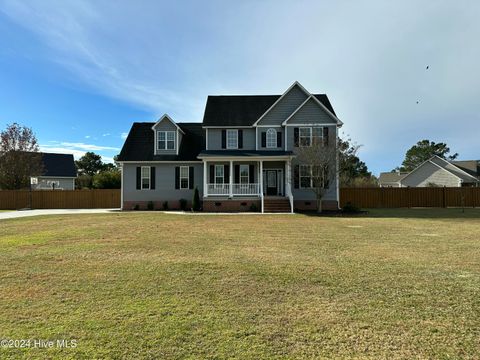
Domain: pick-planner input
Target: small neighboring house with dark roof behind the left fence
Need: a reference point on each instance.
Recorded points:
(59, 172)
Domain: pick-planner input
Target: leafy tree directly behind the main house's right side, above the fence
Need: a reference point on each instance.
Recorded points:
(352, 170)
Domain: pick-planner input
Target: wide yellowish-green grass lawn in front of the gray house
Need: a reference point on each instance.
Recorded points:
(395, 284)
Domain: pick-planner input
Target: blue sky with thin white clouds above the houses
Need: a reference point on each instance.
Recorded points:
(80, 72)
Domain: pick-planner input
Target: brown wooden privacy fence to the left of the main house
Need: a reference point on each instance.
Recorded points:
(59, 199)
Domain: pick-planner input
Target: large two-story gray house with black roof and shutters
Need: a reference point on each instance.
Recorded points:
(240, 157)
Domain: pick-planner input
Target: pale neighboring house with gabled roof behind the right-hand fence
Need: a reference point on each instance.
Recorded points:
(436, 172)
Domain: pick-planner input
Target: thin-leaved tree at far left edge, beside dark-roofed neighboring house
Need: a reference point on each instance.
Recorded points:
(19, 157)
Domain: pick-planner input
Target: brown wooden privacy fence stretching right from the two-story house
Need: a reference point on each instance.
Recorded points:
(410, 197)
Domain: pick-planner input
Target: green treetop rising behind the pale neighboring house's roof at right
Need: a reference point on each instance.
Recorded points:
(422, 151)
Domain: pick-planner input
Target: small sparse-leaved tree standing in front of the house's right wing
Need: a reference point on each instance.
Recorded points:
(317, 169)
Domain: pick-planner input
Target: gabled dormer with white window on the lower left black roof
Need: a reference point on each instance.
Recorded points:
(167, 135)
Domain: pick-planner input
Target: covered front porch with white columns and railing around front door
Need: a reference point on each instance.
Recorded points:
(247, 178)
